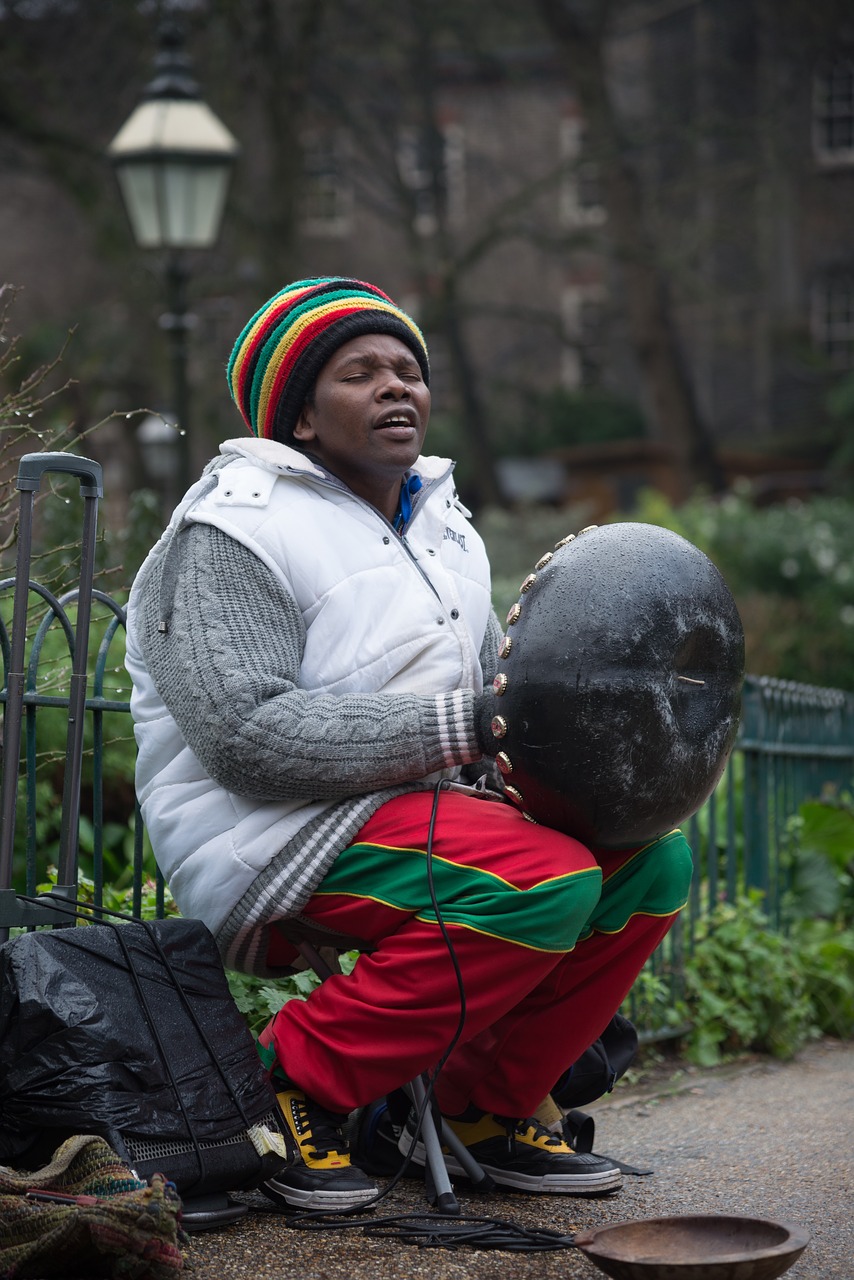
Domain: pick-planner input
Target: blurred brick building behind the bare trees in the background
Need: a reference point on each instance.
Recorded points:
(741, 126)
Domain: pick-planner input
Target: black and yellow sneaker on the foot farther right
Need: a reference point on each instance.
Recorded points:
(524, 1155)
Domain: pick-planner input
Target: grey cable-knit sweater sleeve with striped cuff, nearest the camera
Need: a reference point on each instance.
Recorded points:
(229, 668)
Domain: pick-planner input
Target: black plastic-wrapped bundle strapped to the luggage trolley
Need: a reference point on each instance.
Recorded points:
(131, 1032)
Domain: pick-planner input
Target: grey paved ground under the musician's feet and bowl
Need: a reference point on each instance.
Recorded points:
(761, 1139)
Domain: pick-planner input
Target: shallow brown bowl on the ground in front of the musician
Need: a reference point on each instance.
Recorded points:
(695, 1247)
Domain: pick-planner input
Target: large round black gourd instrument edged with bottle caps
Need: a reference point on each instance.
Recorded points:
(619, 687)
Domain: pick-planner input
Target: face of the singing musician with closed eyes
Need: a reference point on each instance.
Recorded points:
(368, 418)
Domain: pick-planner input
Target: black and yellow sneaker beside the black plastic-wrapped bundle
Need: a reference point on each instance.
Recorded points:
(323, 1178)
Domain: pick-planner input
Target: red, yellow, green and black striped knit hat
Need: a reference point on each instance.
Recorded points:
(280, 354)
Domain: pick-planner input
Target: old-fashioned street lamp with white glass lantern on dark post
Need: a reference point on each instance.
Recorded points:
(173, 161)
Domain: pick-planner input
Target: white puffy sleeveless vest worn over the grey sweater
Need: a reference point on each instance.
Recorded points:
(382, 614)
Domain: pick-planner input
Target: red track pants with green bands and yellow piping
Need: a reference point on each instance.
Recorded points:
(549, 935)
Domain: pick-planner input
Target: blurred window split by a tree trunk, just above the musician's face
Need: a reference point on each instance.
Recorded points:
(417, 175)
